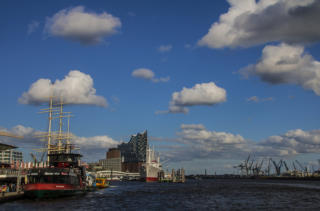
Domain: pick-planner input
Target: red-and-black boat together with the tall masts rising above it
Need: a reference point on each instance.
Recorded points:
(63, 174)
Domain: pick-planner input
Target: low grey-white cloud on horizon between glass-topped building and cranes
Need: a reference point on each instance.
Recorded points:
(199, 143)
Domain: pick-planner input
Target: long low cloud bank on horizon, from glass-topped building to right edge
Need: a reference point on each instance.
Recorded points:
(196, 142)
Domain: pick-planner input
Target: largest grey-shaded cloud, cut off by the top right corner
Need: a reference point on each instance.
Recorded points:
(251, 22)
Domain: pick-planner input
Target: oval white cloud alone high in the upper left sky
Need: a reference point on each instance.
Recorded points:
(85, 27)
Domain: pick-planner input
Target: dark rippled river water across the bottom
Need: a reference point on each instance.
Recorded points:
(223, 194)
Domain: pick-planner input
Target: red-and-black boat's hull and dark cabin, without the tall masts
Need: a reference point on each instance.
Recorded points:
(62, 178)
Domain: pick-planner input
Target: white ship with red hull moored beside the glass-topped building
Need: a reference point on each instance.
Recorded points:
(152, 167)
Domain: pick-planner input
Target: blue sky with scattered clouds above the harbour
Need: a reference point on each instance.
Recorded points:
(211, 81)
